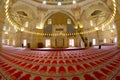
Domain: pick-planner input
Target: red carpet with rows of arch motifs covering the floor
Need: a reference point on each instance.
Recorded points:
(89, 64)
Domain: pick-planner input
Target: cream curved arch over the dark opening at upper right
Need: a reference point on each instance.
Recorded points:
(95, 6)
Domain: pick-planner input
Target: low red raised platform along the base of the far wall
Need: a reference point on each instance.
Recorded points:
(57, 49)
